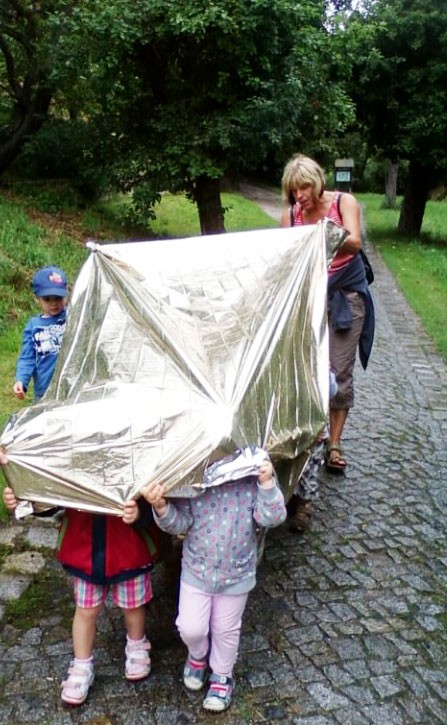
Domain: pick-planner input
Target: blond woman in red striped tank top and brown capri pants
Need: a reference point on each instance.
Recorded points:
(350, 308)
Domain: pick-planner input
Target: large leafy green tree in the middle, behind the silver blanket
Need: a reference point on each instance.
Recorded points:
(188, 93)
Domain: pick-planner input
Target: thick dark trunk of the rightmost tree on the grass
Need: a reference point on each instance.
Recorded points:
(415, 198)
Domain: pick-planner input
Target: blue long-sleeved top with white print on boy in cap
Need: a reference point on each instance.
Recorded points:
(41, 343)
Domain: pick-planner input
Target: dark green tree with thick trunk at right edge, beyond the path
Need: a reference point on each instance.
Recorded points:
(399, 84)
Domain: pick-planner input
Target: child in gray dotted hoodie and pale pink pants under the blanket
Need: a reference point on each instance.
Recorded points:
(218, 566)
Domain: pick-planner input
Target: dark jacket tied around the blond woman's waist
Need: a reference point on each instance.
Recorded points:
(351, 279)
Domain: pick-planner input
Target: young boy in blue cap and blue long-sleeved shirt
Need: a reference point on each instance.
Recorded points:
(43, 333)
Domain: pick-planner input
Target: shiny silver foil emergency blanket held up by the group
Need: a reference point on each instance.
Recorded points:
(177, 354)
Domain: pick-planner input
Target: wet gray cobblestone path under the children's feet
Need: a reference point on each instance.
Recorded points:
(347, 625)
